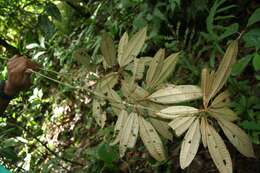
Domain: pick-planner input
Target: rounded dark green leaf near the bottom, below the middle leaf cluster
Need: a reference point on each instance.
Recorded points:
(107, 153)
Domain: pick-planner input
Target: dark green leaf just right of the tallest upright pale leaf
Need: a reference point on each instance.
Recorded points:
(240, 65)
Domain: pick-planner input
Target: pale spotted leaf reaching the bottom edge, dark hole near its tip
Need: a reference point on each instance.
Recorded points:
(218, 151)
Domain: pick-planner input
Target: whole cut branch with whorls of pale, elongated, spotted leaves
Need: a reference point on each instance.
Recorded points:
(137, 92)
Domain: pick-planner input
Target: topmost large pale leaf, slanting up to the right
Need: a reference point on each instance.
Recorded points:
(133, 47)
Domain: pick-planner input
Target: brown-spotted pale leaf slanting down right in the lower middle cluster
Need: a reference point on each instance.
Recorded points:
(151, 140)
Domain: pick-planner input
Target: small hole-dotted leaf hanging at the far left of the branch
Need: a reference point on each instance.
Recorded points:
(98, 114)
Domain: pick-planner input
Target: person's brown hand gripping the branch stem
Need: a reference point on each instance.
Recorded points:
(18, 74)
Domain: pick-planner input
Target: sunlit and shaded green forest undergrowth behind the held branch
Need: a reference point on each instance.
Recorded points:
(51, 129)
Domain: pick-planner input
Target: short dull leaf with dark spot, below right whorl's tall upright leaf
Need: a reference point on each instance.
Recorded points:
(222, 100)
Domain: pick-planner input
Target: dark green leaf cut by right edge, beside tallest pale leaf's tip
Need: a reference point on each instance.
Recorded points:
(252, 38)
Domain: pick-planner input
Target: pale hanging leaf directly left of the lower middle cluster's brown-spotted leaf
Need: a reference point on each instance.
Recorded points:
(129, 133)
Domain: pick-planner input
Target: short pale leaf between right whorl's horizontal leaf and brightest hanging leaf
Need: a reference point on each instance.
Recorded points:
(181, 124)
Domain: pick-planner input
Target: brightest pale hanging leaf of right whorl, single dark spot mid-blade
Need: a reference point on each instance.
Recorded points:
(190, 144)
